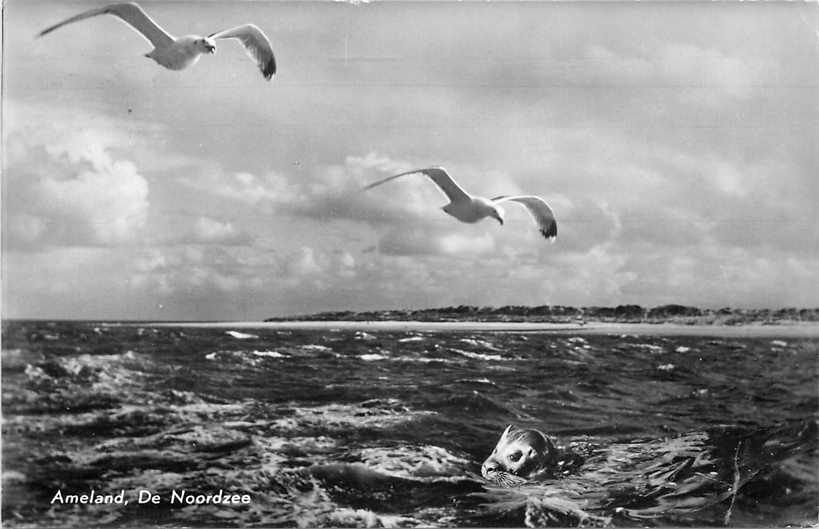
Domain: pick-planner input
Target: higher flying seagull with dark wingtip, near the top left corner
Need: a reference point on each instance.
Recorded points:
(177, 53)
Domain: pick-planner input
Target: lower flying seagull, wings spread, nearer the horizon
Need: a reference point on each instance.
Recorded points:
(467, 208)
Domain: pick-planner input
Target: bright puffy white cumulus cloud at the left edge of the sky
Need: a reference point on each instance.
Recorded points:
(66, 187)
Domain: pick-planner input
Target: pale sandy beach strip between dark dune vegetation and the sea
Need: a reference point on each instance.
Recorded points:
(786, 330)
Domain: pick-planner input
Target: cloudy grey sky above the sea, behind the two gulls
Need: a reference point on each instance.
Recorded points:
(675, 142)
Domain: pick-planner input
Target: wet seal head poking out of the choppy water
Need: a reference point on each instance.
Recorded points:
(521, 454)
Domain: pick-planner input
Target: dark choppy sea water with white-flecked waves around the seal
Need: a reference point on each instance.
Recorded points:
(325, 428)
